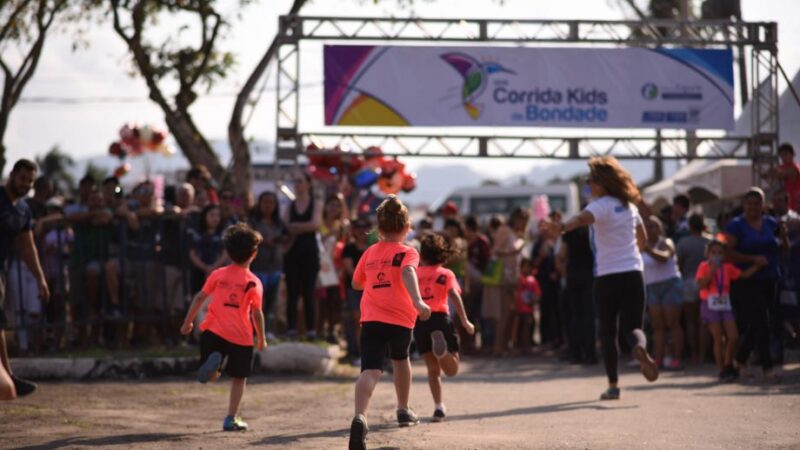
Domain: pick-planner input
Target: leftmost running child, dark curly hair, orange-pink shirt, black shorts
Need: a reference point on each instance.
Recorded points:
(235, 294)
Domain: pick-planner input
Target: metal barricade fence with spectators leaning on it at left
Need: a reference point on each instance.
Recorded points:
(152, 268)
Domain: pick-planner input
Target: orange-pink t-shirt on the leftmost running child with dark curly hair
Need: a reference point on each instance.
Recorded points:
(234, 292)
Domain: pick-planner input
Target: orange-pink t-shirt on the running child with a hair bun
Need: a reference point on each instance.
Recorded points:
(380, 272)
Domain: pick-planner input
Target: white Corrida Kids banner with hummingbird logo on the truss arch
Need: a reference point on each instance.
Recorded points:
(528, 87)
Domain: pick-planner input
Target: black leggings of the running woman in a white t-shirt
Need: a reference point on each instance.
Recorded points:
(620, 301)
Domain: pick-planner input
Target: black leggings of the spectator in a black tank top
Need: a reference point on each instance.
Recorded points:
(301, 279)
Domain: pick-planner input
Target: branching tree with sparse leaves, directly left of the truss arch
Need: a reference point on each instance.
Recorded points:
(171, 61)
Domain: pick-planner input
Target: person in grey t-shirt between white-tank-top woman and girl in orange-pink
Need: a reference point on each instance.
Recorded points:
(691, 251)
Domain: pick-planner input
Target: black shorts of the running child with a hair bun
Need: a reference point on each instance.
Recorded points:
(378, 339)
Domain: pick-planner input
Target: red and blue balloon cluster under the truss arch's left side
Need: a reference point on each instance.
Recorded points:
(364, 171)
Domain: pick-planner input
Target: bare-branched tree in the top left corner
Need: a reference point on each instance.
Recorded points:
(26, 27)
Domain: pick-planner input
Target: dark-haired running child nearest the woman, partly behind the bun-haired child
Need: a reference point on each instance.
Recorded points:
(436, 338)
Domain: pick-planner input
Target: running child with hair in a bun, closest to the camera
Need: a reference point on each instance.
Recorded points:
(391, 301)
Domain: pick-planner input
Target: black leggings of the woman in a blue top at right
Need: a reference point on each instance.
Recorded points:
(750, 300)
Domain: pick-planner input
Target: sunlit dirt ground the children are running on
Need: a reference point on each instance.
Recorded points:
(509, 403)
